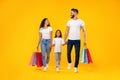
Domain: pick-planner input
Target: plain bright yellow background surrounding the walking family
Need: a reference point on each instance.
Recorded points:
(19, 24)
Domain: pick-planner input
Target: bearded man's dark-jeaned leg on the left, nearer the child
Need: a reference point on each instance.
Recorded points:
(69, 49)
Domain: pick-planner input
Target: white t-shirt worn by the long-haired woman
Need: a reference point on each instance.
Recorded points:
(45, 32)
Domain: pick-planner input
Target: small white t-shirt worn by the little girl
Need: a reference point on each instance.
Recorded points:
(58, 44)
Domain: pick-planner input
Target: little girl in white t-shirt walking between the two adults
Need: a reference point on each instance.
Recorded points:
(58, 42)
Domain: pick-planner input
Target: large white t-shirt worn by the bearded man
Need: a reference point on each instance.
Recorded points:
(75, 25)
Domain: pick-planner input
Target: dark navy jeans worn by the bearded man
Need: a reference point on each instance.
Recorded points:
(70, 44)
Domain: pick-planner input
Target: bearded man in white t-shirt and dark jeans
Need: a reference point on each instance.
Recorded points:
(73, 33)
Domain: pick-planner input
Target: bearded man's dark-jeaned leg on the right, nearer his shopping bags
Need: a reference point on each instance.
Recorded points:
(77, 52)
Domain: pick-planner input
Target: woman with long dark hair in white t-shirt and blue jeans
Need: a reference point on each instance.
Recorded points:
(45, 38)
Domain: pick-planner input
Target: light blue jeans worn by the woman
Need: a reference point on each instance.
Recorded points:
(45, 48)
